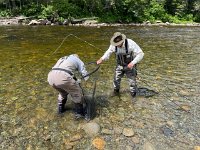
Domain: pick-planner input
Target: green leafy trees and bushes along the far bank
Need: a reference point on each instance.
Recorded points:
(122, 11)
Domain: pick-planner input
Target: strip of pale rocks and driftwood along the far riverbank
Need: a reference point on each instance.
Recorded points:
(78, 22)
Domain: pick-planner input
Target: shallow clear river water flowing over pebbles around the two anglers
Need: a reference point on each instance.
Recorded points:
(168, 120)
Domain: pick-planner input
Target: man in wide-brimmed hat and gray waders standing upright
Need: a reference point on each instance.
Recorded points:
(128, 54)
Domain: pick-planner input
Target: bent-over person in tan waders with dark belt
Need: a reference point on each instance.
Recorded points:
(62, 78)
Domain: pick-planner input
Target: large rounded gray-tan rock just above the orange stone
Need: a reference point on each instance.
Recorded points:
(91, 128)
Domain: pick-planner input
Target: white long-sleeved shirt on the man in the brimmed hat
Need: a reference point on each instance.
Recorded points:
(132, 47)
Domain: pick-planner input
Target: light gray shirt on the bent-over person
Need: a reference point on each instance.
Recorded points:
(71, 63)
